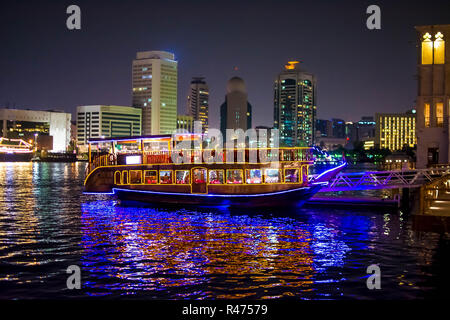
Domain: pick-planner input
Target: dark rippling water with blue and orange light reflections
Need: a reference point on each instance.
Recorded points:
(46, 224)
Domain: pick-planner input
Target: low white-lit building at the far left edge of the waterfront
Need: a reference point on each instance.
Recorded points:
(32, 125)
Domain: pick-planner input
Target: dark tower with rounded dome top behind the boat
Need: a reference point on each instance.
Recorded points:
(236, 111)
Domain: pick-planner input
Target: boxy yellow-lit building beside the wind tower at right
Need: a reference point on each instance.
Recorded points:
(394, 131)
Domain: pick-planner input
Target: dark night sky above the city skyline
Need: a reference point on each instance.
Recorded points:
(43, 65)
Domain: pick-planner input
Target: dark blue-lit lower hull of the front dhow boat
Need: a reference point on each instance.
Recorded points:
(292, 197)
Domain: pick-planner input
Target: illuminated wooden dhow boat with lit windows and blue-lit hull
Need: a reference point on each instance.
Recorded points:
(147, 169)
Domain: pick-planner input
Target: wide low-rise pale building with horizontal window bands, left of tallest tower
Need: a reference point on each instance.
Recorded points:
(99, 121)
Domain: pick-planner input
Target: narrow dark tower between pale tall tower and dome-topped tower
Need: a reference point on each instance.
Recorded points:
(198, 101)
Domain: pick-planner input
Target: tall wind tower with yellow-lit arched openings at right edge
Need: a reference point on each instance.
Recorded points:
(433, 96)
